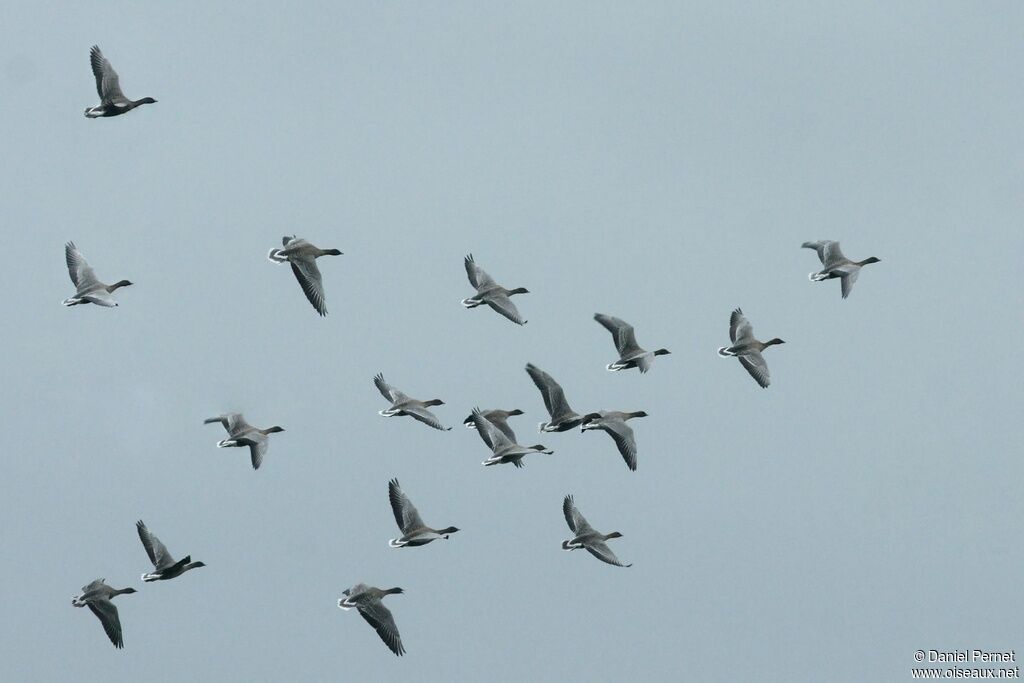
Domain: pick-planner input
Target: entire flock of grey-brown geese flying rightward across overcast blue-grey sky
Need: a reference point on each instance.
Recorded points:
(492, 425)
